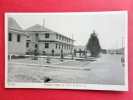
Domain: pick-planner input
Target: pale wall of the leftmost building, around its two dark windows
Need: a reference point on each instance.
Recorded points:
(15, 47)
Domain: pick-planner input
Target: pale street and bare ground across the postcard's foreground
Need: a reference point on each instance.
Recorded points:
(107, 69)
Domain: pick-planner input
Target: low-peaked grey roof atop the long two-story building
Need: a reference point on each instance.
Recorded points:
(38, 28)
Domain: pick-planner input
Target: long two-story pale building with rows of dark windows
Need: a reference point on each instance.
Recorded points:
(46, 40)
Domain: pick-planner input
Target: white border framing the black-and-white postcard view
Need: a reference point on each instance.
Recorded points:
(68, 85)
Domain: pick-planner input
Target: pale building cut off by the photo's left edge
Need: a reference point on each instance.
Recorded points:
(16, 38)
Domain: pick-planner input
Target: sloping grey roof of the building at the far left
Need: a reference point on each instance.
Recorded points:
(12, 24)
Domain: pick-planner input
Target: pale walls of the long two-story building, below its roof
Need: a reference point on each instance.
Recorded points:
(52, 45)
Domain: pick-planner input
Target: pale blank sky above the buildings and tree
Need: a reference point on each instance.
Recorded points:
(109, 27)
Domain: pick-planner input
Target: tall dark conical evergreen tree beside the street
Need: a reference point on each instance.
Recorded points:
(93, 45)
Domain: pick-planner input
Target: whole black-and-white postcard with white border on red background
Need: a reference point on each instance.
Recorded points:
(86, 50)
